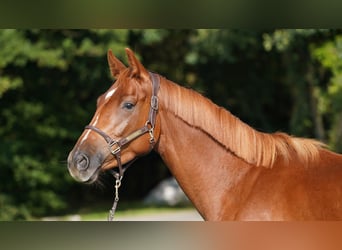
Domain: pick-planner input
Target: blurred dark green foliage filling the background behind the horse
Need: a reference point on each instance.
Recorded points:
(288, 80)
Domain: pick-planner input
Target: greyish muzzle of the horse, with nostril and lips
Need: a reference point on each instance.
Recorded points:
(84, 167)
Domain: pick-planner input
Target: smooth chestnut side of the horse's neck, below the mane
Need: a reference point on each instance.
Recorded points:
(212, 177)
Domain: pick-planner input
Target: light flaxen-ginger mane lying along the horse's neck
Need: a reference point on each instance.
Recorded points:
(254, 147)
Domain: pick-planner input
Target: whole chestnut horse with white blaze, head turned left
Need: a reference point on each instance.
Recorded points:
(227, 169)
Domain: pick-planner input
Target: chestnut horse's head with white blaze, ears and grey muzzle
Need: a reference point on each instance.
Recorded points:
(123, 126)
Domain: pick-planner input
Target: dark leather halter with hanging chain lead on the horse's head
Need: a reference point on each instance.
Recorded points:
(115, 146)
